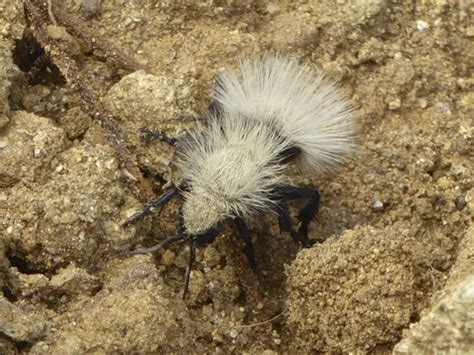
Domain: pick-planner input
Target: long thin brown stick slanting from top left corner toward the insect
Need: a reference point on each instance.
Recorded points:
(35, 13)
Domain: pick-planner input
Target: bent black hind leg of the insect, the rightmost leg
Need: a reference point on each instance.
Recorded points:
(308, 212)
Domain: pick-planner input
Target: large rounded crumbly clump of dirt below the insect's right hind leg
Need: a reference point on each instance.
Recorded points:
(358, 290)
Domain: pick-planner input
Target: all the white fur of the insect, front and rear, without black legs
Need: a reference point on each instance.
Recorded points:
(236, 162)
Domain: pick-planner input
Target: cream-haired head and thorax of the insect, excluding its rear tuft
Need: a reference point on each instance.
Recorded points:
(232, 167)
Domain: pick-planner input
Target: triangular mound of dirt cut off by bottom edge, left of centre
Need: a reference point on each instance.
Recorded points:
(134, 312)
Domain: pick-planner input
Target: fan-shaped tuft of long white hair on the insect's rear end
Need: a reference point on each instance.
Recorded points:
(309, 109)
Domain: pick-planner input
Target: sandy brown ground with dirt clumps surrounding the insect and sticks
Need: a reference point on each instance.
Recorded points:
(396, 221)
